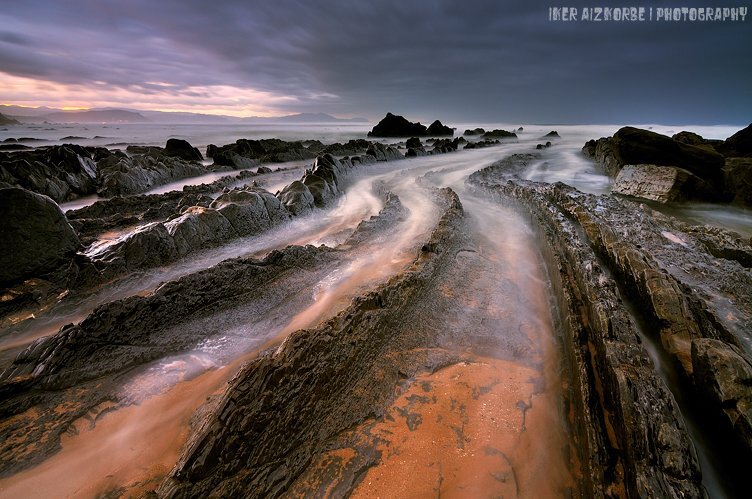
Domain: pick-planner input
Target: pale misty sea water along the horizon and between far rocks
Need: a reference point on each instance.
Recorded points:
(562, 163)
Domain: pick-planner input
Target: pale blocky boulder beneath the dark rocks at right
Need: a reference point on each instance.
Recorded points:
(659, 183)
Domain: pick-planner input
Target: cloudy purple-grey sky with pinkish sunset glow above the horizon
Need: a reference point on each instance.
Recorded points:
(466, 61)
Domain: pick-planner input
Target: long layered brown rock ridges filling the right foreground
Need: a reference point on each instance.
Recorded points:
(694, 299)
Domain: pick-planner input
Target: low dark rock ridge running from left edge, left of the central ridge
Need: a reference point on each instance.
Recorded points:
(84, 366)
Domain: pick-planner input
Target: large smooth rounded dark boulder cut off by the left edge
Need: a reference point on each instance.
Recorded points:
(36, 236)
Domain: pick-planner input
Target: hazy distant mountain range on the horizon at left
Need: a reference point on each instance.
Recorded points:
(120, 115)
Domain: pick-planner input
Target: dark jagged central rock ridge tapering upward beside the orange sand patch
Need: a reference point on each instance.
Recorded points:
(265, 431)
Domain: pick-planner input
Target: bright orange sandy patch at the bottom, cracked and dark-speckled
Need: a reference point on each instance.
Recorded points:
(470, 430)
